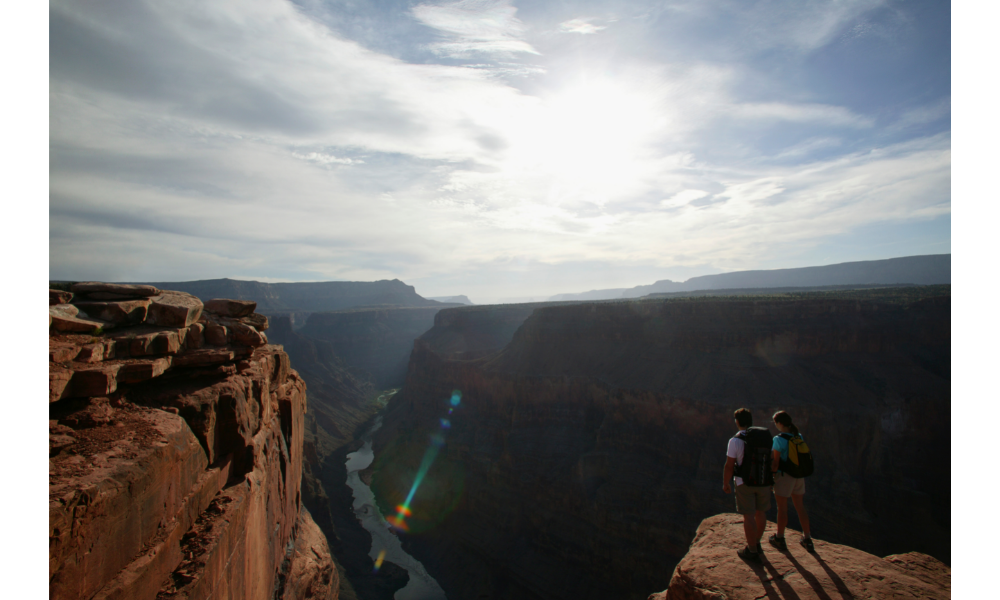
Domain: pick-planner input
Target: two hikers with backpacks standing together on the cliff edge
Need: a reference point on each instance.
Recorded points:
(762, 467)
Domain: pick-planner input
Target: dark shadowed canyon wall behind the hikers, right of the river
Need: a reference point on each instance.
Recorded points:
(584, 454)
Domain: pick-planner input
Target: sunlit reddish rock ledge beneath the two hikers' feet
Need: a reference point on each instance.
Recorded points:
(711, 570)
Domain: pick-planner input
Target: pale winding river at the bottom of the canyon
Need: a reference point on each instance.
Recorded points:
(421, 585)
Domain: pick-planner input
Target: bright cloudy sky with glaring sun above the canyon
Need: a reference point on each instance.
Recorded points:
(498, 149)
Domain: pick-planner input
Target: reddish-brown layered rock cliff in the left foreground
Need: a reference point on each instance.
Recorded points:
(175, 452)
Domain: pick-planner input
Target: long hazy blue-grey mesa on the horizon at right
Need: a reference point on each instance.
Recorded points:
(931, 269)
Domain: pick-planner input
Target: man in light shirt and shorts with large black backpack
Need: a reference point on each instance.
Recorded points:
(752, 501)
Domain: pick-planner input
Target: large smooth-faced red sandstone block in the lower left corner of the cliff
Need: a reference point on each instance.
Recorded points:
(109, 499)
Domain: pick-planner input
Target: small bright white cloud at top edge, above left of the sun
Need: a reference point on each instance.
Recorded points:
(488, 27)
